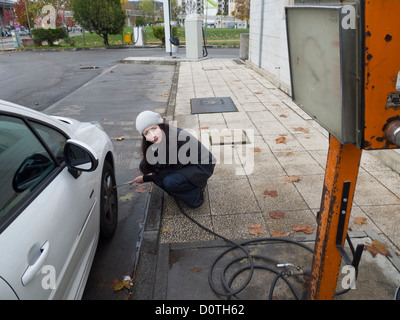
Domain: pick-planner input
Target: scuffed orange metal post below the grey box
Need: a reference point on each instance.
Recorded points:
(342, 167)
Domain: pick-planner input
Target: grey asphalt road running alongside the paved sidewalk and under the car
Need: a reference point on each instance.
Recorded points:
(92, 85)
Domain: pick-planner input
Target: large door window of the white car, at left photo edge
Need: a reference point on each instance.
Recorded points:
(24, 163)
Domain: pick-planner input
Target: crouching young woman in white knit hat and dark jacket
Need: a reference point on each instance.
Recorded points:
(173, 159)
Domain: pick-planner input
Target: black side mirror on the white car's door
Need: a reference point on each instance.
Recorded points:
(79, 156)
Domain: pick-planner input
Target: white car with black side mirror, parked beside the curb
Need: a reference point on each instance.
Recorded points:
(57, 197)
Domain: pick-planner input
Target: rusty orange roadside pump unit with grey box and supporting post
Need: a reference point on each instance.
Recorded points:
(345, 73)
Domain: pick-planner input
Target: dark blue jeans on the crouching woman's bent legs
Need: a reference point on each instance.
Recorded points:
(177, 185)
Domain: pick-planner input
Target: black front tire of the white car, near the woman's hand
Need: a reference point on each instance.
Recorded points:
(108, 202)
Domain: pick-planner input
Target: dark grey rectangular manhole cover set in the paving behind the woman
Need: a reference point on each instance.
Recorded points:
(212, 105)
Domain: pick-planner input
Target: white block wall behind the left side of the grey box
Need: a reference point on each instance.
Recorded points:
(272, 59)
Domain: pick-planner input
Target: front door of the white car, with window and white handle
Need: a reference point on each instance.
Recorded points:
(44, 211)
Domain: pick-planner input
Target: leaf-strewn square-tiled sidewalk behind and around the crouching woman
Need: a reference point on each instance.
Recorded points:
(248, 199)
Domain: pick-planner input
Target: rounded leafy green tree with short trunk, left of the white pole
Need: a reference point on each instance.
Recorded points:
(103, 17)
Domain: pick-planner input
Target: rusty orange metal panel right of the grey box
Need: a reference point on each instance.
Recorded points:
(381, 72)
